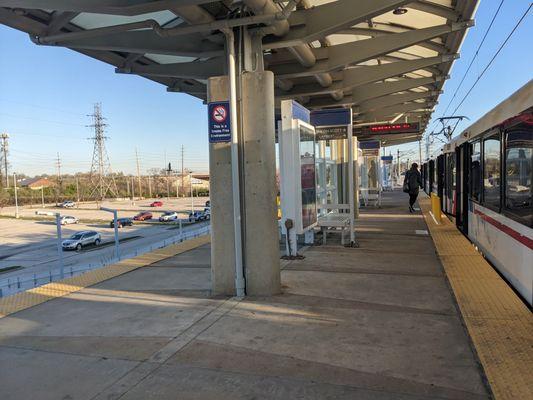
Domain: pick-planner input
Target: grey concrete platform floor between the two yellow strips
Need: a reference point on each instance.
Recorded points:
(375, 322)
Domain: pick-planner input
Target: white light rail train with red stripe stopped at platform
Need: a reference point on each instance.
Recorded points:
(484, 180)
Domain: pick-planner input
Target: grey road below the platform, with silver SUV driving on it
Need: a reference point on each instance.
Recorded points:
(28, 248)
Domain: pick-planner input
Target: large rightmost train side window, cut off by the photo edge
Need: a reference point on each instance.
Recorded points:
(518, 173)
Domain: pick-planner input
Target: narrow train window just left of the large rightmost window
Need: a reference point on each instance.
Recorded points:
(491, 172)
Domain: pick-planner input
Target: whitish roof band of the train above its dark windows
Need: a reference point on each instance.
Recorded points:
(517, 103)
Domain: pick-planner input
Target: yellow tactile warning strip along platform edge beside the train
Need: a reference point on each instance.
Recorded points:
(499, 323)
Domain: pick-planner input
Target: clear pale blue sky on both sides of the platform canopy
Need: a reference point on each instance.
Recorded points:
(48, 93)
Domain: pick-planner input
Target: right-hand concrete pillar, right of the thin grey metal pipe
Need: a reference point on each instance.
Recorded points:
(261, 253)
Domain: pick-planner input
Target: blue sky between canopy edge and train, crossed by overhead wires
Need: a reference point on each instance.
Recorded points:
(511, 69)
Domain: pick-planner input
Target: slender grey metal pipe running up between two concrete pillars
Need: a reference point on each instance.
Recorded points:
(239, 270)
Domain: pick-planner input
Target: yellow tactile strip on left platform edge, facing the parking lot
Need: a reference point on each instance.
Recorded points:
(41, 294)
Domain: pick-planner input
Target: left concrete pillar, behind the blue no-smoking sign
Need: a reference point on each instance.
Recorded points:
(222, 234)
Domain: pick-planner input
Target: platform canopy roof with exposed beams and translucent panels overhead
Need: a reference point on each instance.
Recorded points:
(387, 59)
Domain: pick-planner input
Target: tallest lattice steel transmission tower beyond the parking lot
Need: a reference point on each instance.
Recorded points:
(101, 178)
